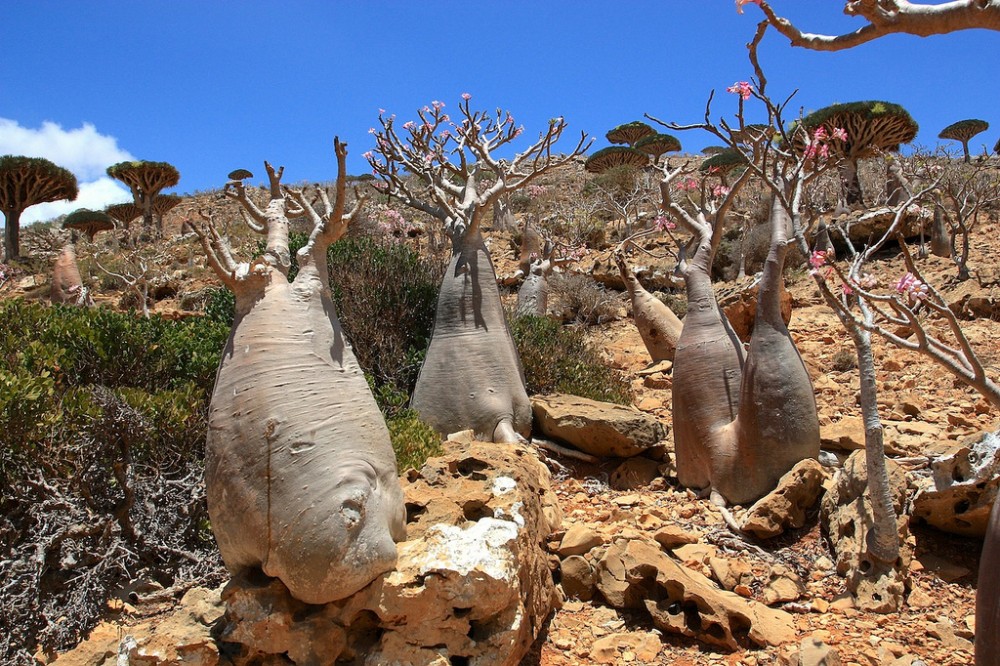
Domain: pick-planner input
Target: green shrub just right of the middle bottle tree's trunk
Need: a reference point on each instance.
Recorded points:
(556, 358)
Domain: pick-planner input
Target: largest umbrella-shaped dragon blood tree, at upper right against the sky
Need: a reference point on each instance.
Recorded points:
(869, 129)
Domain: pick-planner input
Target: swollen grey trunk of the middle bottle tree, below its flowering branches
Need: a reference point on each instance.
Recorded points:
(471, 376)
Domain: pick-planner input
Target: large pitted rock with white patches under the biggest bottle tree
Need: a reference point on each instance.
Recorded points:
(472, 582)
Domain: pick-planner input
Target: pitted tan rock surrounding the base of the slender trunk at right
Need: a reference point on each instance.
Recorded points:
(846, 513)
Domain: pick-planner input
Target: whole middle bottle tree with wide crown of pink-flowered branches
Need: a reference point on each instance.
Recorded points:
(471, 377)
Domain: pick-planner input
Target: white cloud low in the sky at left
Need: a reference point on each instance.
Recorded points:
(84, 151)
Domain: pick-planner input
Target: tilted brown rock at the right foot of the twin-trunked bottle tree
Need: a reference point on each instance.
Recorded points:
(786, 505)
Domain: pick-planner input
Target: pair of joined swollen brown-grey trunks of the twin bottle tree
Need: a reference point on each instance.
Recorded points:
(738, 427)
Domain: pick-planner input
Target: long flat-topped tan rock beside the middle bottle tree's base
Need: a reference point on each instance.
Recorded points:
(598, 428)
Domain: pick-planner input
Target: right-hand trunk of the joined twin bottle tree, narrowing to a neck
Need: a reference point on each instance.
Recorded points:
(778, 425)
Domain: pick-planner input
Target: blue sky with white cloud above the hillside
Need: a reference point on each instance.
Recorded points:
(210, 86)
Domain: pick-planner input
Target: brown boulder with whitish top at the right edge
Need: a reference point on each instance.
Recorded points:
(958, 493)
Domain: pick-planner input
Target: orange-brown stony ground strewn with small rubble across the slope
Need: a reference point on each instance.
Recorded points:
(925, 411)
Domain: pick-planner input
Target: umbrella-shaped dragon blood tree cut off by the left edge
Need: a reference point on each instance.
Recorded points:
(24, 182)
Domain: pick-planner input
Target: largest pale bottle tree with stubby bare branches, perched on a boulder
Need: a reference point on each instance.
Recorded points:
(299, 471)
